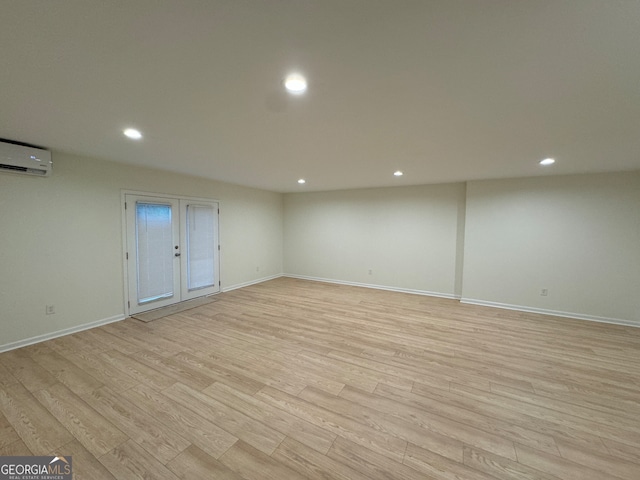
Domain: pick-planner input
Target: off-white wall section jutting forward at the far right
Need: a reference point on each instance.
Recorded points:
(578, 236)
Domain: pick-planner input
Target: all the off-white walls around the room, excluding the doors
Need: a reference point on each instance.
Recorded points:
(578, 236)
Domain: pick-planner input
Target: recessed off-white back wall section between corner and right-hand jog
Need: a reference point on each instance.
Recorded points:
(408, 236)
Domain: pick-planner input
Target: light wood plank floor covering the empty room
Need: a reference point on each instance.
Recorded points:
(293, 379)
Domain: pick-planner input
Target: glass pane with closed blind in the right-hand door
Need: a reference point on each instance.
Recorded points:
(201, 245)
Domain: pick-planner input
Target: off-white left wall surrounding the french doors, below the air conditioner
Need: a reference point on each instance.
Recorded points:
(61, 241)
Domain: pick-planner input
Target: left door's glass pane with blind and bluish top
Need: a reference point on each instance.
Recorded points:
(154, 244)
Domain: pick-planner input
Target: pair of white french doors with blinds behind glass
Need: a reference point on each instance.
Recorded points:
(172, 250)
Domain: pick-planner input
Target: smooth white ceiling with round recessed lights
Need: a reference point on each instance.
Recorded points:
(445, 90)
